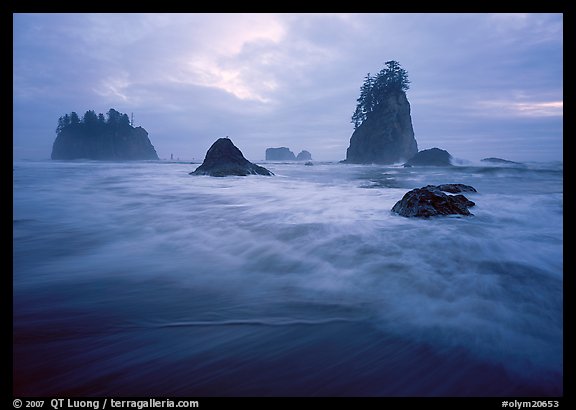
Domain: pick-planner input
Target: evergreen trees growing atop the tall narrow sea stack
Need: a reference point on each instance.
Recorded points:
(374, 90)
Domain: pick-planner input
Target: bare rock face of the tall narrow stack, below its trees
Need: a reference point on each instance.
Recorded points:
(386, 135)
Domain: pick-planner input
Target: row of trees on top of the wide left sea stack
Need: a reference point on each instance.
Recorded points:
(92, 122)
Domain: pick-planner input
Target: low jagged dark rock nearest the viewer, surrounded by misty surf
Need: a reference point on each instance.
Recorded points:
(431, 201)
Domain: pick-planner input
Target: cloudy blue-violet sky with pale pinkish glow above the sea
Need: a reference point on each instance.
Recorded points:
(482, 85)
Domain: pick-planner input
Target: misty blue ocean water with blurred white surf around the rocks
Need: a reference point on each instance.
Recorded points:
(138, 279)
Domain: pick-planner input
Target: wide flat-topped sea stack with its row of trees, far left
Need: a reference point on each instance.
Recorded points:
(98, 138)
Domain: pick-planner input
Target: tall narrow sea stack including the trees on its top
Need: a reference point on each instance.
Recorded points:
(383, 131)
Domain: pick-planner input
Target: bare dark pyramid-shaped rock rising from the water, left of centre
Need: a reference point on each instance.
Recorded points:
(224, 159)
